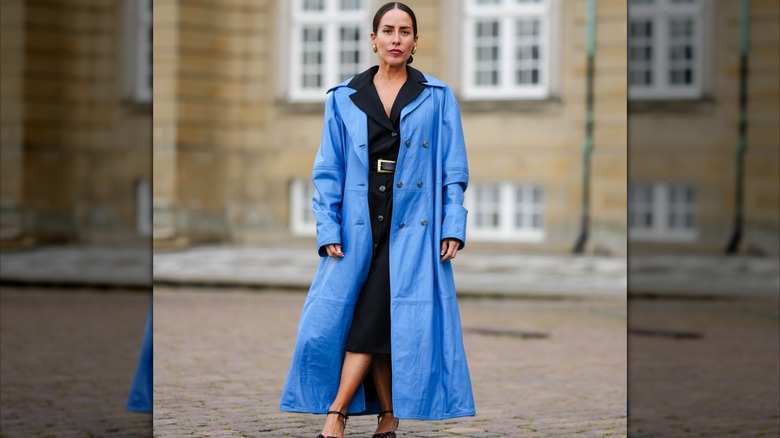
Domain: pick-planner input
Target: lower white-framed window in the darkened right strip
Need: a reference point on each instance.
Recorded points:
(662, 211)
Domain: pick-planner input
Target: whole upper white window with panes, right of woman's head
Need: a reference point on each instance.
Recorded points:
(507, 49)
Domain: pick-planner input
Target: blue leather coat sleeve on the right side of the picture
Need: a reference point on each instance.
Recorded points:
(455, 176)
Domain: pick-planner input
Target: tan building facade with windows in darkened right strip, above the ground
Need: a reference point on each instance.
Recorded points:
(704, 157)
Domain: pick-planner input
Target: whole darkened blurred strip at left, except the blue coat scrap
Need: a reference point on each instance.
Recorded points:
(75, 214)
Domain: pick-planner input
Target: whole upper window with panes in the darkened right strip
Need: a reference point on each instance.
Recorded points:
(665, 49)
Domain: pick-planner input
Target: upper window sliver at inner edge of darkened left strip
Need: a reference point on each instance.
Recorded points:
(138, 50)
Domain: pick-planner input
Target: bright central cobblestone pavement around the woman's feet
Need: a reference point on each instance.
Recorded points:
(553, 368)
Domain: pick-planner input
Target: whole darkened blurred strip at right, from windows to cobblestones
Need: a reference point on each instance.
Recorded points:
(704, 217)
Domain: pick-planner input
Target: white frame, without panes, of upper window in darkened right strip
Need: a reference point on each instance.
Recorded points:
(660, 13)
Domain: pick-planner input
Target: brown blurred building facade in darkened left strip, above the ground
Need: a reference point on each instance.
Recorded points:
(76, 122)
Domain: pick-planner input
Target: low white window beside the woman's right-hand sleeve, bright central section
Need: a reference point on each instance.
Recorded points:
(505, 211)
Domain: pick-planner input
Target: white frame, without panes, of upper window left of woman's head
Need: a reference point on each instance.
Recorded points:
(331, 19)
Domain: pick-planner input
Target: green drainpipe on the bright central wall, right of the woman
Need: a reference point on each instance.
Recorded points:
(587, 150)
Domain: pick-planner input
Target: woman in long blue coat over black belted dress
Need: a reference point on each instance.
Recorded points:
(380, 330)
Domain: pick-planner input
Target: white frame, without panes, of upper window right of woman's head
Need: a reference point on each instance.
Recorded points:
(507, 12)
